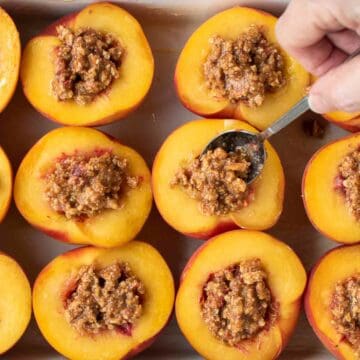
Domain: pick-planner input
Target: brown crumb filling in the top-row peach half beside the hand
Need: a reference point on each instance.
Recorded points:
(244, 69)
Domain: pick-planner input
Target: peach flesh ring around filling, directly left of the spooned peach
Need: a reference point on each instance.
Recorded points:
(107, 228)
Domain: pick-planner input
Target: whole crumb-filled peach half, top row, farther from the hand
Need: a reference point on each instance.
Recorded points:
(88, 68)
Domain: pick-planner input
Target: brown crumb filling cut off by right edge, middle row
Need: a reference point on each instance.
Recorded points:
(349, 170)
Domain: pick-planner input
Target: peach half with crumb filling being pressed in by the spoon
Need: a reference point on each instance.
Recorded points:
(258, 206)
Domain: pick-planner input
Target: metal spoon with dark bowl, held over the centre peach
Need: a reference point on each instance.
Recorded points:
(253, 143)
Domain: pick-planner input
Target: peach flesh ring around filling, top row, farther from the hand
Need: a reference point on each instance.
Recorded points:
(125, 94)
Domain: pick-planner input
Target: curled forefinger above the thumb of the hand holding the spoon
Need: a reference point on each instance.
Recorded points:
(304, 36)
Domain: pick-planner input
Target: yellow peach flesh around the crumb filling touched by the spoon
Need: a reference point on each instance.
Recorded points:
(183, 213)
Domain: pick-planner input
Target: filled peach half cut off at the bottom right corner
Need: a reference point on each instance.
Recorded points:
(332, 301)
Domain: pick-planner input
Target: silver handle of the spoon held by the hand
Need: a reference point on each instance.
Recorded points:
(298, 109)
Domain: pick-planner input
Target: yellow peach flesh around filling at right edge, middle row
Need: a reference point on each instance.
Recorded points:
(324, 204)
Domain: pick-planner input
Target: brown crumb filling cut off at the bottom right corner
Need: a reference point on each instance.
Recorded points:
(345, 310)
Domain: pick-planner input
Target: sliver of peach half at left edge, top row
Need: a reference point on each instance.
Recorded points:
(10, 51)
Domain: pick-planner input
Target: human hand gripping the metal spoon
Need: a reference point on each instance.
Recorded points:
(321, 34)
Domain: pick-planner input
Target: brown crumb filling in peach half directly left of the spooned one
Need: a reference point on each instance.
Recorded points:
(83, 185)
